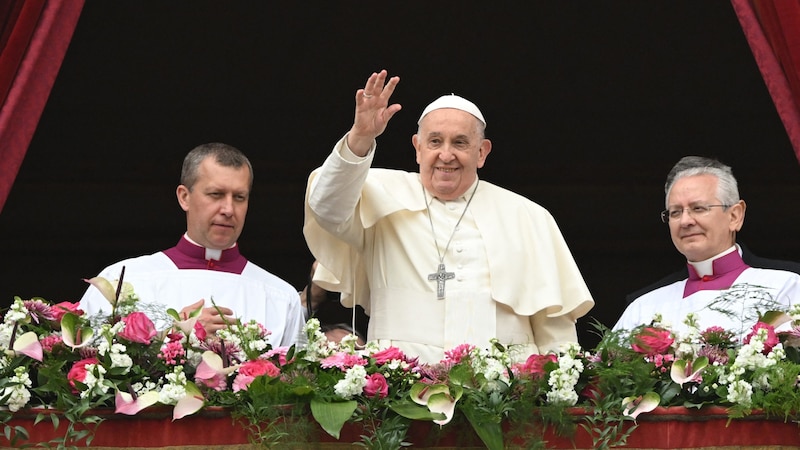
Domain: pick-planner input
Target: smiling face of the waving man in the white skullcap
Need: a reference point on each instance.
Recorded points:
(450, 150)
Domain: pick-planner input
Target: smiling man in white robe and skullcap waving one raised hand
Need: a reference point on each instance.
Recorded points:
(439, 258)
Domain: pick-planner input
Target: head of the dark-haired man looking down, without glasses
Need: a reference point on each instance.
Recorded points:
(216, 205)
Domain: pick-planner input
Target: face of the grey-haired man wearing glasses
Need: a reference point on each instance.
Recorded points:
(701, 237)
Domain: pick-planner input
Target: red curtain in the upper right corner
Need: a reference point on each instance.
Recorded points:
(772, 28)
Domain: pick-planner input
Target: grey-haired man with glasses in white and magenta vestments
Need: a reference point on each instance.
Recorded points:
(704, 213)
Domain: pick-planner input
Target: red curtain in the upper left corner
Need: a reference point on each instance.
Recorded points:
(34, 37)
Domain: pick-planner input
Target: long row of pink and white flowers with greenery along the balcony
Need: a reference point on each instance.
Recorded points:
(56, 358)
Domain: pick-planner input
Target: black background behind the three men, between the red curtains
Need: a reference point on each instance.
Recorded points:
(588, 105)
